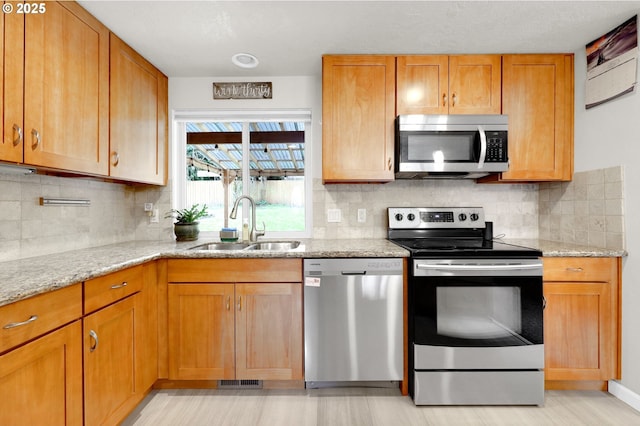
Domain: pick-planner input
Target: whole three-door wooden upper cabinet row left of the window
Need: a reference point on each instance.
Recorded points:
(71, 92)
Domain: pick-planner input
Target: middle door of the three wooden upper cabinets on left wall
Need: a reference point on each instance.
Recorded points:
(66, 90)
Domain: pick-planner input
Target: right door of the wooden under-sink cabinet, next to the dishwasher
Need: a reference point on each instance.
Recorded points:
(269, 331)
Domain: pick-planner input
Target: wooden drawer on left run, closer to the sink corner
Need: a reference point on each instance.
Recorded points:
(100, 292)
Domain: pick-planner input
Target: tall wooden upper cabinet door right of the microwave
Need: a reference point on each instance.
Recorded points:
(537, 95)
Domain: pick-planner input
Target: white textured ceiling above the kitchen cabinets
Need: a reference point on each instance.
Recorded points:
(198, 38)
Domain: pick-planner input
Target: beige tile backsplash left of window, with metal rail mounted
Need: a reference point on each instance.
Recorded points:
(115, 215)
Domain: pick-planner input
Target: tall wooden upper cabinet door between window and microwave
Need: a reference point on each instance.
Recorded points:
(358, 111)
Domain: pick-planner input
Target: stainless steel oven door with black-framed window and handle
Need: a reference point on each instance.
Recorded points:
(477, 314)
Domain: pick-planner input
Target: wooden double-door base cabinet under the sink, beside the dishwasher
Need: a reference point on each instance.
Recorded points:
(235, 330)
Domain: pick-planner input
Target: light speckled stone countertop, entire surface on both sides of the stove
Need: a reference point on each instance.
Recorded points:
(27, 277)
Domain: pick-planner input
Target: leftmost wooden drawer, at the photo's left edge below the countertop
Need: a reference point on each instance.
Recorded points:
(32, 317)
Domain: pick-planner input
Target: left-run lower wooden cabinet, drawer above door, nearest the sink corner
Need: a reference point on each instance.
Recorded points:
(120, 330)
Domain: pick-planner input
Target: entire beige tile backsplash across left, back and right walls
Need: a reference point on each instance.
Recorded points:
(588, 210)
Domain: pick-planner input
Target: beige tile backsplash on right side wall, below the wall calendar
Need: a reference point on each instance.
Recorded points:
(589, 210)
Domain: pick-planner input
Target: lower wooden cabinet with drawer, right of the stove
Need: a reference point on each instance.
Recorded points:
(581, 322)
